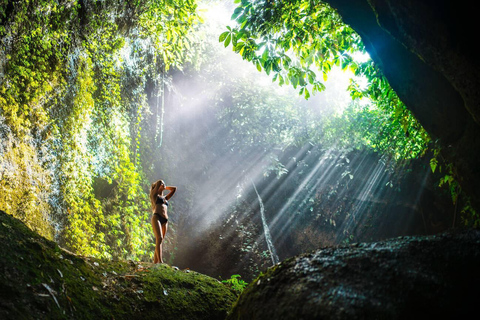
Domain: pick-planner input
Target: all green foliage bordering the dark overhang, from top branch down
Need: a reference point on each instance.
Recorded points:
(300, 42)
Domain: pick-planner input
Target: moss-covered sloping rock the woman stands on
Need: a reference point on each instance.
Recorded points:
(39, 280)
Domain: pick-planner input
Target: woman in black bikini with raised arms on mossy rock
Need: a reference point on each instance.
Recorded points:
(160, 217)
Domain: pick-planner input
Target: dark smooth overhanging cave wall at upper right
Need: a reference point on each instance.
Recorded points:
(425, 49)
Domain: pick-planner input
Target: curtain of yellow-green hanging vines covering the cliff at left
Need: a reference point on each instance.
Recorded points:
(72, 108)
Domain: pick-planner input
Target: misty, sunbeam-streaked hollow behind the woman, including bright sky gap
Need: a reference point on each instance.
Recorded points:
(218, 145)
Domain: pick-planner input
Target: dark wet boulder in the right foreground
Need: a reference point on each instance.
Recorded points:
(435, 277)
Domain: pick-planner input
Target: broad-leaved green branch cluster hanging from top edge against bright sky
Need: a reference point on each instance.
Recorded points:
(289, 37)
